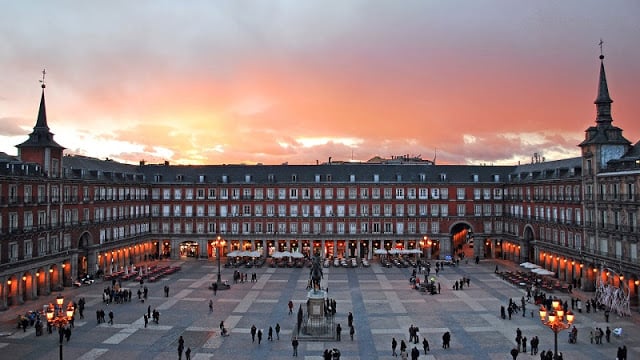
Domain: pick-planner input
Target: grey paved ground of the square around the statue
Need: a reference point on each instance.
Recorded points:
(381, 300)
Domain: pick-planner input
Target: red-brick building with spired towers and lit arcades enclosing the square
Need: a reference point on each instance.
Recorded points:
(65, 216)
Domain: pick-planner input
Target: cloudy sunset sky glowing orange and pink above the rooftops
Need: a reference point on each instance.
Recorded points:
(299, 81)
